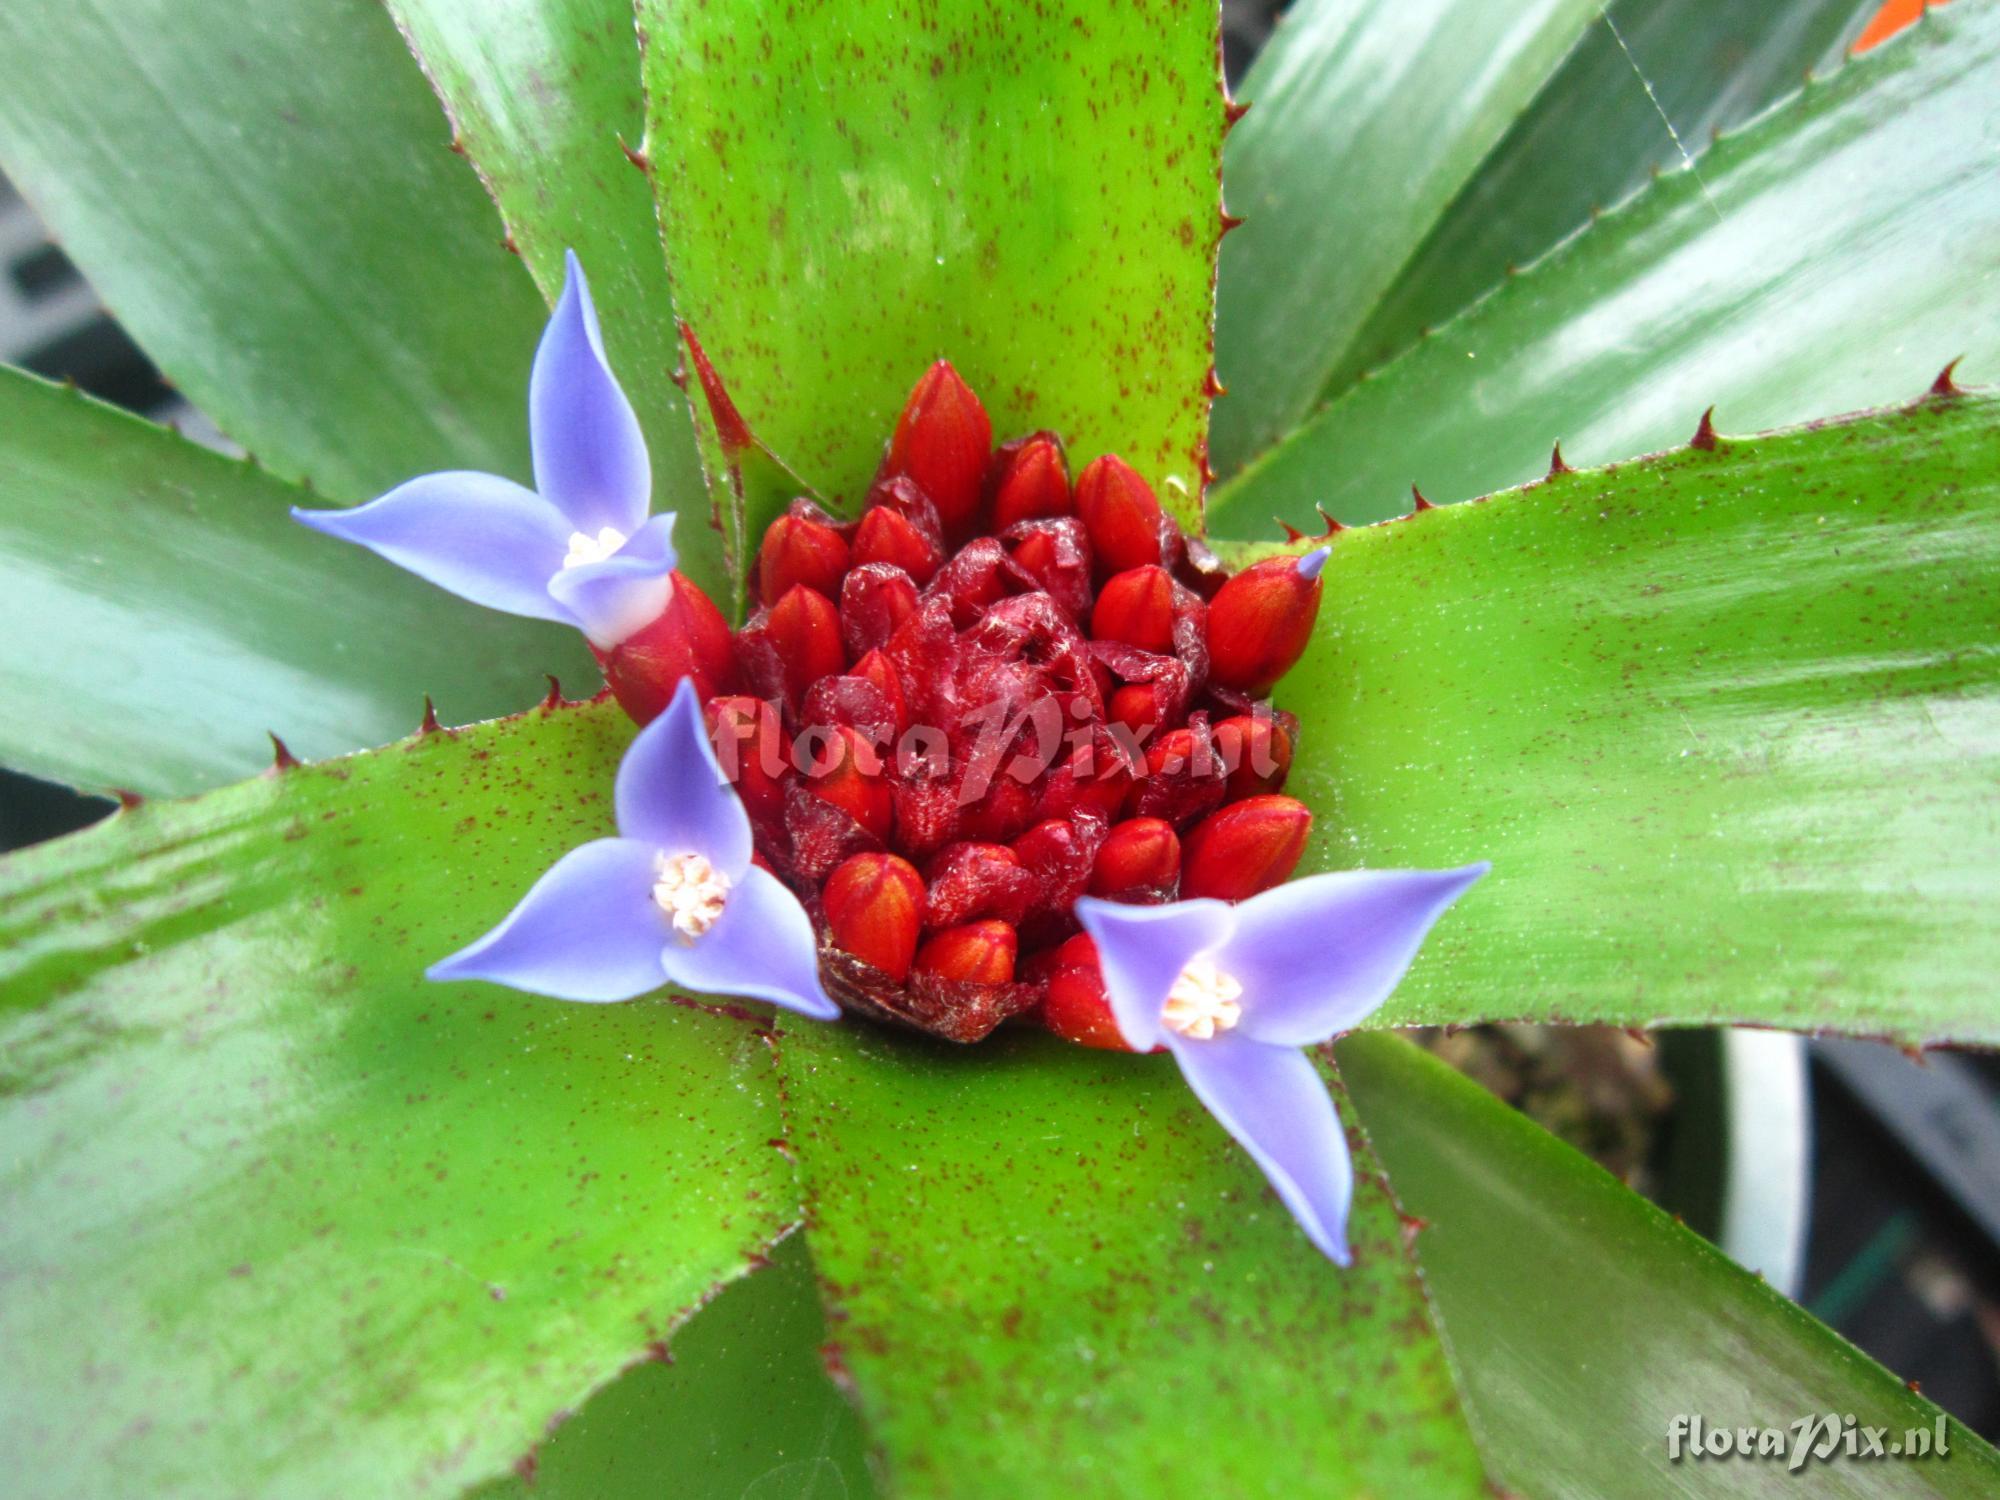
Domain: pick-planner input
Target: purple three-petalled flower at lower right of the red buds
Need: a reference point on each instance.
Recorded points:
(1237, 991)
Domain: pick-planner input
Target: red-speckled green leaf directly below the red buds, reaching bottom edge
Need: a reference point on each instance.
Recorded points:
(1051, 1273)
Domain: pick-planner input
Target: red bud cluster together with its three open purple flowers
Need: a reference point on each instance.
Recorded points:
(995, 751)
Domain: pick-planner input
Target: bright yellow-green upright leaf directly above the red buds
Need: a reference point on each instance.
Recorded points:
(1025, 191)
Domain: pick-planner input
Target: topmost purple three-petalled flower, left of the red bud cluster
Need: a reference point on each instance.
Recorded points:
(579, 549)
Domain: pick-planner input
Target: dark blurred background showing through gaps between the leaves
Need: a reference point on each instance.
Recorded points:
(1855, 1179)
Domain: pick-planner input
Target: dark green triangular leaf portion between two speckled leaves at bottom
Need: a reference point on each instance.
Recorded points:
(741, 1411)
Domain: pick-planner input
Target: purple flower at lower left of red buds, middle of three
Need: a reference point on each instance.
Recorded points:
(673, 899)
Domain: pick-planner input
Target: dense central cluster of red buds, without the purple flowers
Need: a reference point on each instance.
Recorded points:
(991, 695)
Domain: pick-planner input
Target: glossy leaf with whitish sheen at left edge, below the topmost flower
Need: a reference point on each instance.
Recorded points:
(167, 613)
